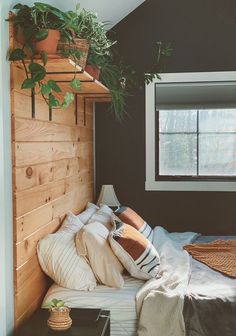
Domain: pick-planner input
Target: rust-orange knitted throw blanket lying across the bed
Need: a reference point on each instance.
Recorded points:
(219, 255)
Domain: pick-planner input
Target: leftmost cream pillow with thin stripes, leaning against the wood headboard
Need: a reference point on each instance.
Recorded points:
(59, 260)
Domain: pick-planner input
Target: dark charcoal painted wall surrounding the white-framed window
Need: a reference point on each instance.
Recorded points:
(203, 36)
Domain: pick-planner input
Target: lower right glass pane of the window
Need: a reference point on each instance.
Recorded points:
(217, 154)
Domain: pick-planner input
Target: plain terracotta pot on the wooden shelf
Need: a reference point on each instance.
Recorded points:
(49, 44)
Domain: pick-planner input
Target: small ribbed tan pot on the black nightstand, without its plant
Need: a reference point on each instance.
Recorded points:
(59, 319)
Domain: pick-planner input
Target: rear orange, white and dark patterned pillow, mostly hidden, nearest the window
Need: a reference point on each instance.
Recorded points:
(129, 216)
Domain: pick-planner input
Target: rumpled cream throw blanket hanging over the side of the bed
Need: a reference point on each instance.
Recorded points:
(160, 301)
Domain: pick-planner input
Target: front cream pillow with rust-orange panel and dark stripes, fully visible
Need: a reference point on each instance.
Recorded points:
(134, 251)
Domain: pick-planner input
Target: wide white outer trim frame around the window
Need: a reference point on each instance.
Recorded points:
(151, 183)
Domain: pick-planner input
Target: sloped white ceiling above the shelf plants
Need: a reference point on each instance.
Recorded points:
(107, 10)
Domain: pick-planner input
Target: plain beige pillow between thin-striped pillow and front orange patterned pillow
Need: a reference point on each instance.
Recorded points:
(105, 265)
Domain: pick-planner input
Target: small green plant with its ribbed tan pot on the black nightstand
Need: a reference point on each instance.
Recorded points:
(59, 318)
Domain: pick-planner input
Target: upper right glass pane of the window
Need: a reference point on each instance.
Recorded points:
(222, 120)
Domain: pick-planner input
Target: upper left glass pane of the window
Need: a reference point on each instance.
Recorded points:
(177, 121)
